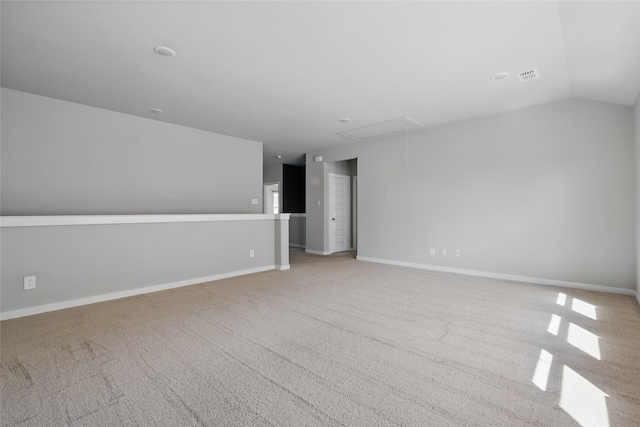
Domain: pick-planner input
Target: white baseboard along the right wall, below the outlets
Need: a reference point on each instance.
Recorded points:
(525, 279)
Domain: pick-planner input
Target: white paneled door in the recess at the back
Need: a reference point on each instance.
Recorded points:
(339, 211)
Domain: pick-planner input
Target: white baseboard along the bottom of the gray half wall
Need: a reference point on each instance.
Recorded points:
(132, 292)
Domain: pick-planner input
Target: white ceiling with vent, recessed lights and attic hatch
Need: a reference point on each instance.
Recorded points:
(283, 73)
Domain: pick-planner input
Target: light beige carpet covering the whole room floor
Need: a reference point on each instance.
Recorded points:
(333, 341)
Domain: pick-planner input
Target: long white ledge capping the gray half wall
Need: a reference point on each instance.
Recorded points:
(55, 220)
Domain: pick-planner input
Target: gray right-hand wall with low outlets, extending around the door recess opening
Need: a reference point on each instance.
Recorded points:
(545, 192)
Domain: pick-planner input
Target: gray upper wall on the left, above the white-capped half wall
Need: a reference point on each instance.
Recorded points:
(64, 158)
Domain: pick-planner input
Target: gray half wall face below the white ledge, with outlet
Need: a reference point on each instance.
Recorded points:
(72, 262)
